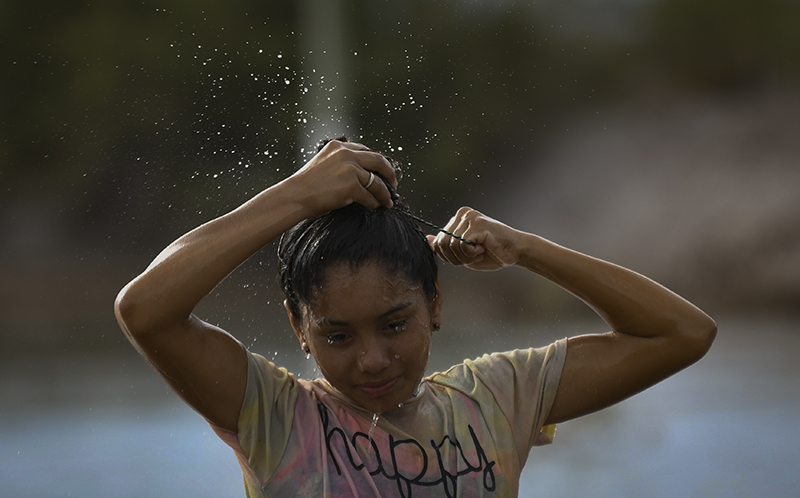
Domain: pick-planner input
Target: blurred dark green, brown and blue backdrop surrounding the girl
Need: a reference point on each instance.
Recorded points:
(658, 134)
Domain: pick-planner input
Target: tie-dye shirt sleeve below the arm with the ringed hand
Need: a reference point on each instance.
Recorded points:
(266, 416)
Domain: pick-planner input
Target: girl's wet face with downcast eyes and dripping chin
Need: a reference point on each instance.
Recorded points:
(370, 333)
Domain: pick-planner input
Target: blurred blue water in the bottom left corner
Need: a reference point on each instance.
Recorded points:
(161, 451)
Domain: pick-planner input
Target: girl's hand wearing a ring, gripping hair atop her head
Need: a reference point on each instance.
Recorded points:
(337, 176)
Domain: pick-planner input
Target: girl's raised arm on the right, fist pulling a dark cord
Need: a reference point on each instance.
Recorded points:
(655, 333)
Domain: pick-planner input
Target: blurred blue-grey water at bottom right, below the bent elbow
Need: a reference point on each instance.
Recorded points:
(729, 426)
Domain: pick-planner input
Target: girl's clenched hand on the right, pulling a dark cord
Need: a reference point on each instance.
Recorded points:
(496, 244)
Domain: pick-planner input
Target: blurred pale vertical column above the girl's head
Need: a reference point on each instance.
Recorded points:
(323, 62)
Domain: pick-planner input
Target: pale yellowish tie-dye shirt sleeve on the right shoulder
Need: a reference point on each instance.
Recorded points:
(522, 383)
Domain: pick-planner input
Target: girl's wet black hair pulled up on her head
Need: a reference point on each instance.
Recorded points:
(354, 235)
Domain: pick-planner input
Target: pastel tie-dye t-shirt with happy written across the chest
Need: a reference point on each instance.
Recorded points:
(467, 432)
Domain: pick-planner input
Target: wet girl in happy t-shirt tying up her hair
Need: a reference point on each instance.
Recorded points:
(363, 299)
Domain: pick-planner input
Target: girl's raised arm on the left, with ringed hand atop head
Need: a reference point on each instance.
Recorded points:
(204, 364)
